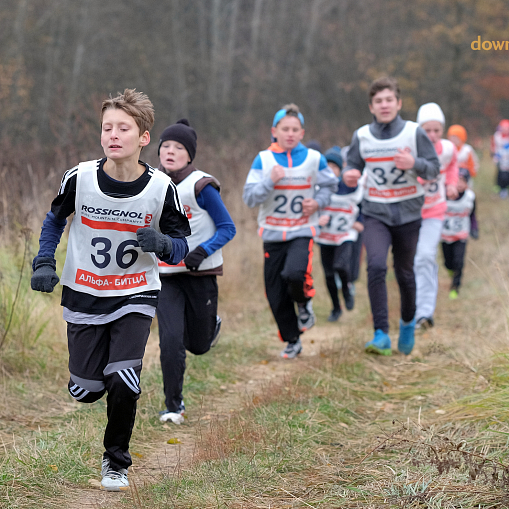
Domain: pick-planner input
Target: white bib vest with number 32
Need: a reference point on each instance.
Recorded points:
(385, 183)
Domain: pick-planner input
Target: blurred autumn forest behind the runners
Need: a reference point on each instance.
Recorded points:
(228, 65)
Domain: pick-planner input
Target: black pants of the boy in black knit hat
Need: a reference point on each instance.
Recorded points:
(186, 314)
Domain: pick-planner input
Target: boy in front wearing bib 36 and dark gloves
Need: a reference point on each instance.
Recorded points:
(126, 214)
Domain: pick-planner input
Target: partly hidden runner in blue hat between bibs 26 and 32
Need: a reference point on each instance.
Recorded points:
(340, 224)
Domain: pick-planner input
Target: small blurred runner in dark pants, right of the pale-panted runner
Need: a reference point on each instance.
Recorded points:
(460, 223)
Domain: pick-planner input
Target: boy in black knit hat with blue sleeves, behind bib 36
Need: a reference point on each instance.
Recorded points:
(187, 310)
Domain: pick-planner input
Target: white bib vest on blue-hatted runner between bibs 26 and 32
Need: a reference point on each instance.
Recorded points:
(343, 211)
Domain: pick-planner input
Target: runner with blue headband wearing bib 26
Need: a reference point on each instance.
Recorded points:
(290, 183)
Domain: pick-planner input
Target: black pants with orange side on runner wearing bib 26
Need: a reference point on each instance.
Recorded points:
(288, 281)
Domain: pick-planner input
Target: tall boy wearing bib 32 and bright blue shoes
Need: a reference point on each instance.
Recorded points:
(393, 153)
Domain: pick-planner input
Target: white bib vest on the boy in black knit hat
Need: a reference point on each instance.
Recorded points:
(202, 226)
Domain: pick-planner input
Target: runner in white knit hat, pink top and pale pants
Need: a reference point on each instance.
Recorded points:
(431, 118)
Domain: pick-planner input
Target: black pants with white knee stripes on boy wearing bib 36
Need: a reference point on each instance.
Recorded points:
(108, 358)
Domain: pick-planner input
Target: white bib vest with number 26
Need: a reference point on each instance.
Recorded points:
(282, 210)
